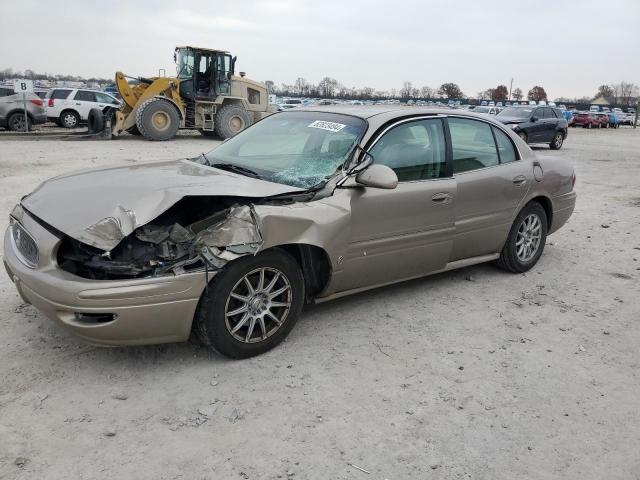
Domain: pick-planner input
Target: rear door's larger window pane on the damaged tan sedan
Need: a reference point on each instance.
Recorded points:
(473, 145)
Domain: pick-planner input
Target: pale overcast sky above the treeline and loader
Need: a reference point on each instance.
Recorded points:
(568, 47)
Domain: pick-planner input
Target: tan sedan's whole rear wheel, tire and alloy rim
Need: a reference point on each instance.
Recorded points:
(526, 240)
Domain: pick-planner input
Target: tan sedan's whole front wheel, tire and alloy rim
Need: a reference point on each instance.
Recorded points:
(251, 305)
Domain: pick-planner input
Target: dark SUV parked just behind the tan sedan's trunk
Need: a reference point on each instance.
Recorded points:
(536, 124)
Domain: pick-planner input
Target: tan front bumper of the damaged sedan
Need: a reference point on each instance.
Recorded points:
(140, 311)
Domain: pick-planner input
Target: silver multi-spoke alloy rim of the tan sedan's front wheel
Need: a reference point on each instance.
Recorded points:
(258, 305)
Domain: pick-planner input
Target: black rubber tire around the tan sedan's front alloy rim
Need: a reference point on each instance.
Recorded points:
(210, 321)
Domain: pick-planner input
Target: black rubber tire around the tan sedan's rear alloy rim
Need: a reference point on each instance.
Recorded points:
(509, 259)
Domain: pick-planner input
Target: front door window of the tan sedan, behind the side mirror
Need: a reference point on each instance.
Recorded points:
(414, 150)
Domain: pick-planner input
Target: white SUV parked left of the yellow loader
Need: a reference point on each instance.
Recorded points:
(70, 106)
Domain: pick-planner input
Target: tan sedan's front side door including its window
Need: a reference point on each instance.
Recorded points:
(408, 231)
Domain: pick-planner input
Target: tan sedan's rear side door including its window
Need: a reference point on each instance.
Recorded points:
(491, 182)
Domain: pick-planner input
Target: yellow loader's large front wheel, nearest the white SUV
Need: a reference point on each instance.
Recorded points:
(158, 119)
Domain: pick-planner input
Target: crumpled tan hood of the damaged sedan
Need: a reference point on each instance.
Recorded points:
(100, 207)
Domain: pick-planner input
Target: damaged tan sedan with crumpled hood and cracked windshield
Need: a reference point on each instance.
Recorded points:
(304, 206)
